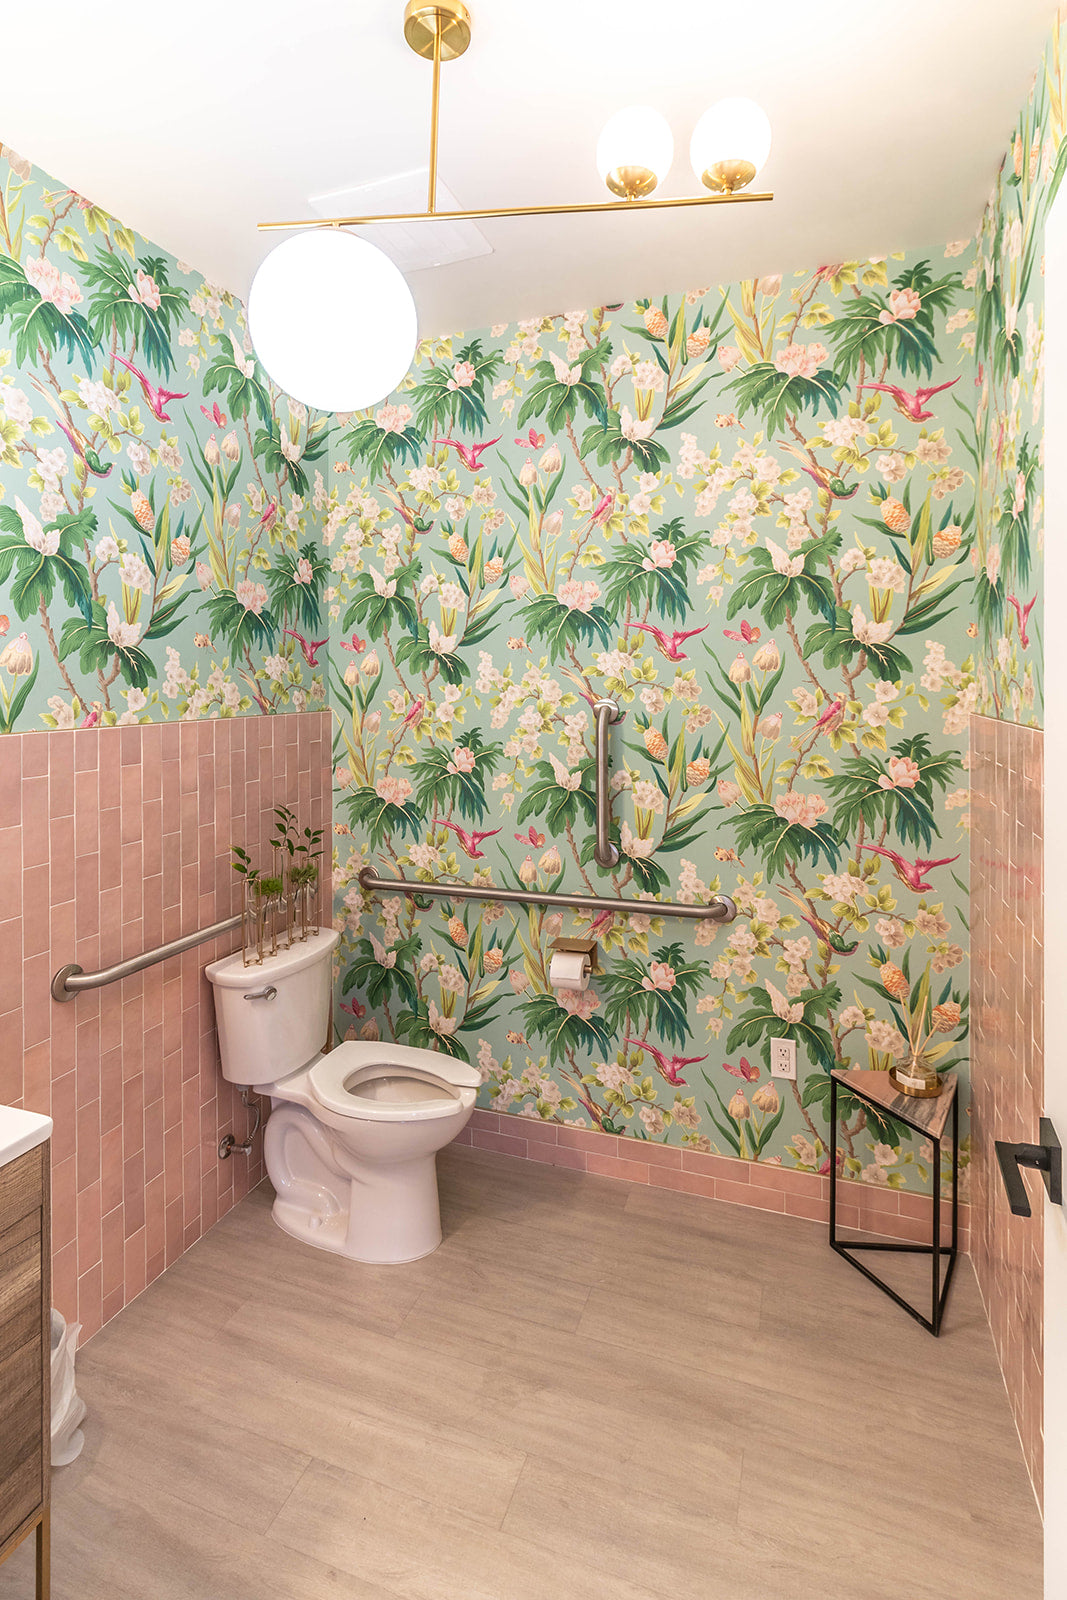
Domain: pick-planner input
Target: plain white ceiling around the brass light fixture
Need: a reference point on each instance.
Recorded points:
(196, 122)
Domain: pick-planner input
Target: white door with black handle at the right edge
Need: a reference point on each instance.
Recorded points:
(1055, 631)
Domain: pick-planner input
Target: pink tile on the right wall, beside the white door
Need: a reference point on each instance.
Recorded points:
(1009, 1050)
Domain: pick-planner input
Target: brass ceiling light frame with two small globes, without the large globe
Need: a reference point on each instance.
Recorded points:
(634, 153)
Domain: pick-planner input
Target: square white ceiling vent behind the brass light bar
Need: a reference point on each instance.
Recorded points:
(415, 247)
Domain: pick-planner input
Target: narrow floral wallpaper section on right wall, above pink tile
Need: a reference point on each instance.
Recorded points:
(1010, 409)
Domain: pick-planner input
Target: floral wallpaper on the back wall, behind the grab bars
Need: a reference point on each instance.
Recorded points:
(748, 514)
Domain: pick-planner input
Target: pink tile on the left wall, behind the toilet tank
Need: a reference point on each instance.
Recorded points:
(113, 842)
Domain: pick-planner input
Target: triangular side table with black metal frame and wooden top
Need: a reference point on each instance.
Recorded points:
(929, 1118)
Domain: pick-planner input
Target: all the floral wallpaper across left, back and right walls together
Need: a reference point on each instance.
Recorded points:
(793, 526)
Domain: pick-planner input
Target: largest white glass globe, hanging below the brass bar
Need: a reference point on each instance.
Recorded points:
(332, 321)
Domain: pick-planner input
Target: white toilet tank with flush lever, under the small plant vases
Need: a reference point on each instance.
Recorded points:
(274, 1018)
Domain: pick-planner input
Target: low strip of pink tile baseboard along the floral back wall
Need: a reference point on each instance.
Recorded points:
(885, 1212)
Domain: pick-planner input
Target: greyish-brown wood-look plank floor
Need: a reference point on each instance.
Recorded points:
(593, 1391)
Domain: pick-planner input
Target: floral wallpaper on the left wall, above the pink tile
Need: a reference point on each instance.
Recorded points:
(159, 500)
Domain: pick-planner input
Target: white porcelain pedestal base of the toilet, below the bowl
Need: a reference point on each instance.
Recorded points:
(377, 1212)
